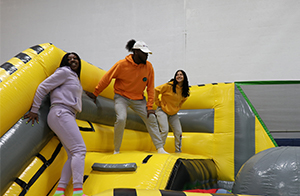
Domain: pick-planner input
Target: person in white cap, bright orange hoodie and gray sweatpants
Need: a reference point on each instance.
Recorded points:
(132, 75)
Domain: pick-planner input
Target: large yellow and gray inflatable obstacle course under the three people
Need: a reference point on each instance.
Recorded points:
(221, 131)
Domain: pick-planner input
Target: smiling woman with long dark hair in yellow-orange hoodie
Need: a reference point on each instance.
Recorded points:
(169, 98)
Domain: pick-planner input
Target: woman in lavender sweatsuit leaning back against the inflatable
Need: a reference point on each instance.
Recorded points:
(65, 95)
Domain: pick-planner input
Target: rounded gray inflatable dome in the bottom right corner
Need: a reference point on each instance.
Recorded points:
(274, 171)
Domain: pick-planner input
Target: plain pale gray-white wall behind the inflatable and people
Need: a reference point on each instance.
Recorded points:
(212, 40)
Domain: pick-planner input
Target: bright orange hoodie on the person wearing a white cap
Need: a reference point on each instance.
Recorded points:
(131, 79)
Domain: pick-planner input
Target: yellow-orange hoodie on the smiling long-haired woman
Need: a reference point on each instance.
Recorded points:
(169, 101)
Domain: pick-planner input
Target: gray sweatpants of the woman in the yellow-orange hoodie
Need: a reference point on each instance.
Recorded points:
(164, 120)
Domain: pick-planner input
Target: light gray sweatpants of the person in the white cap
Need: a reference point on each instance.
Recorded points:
(139, 106)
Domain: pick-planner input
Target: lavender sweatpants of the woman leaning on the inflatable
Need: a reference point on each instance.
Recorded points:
(62, 122)
